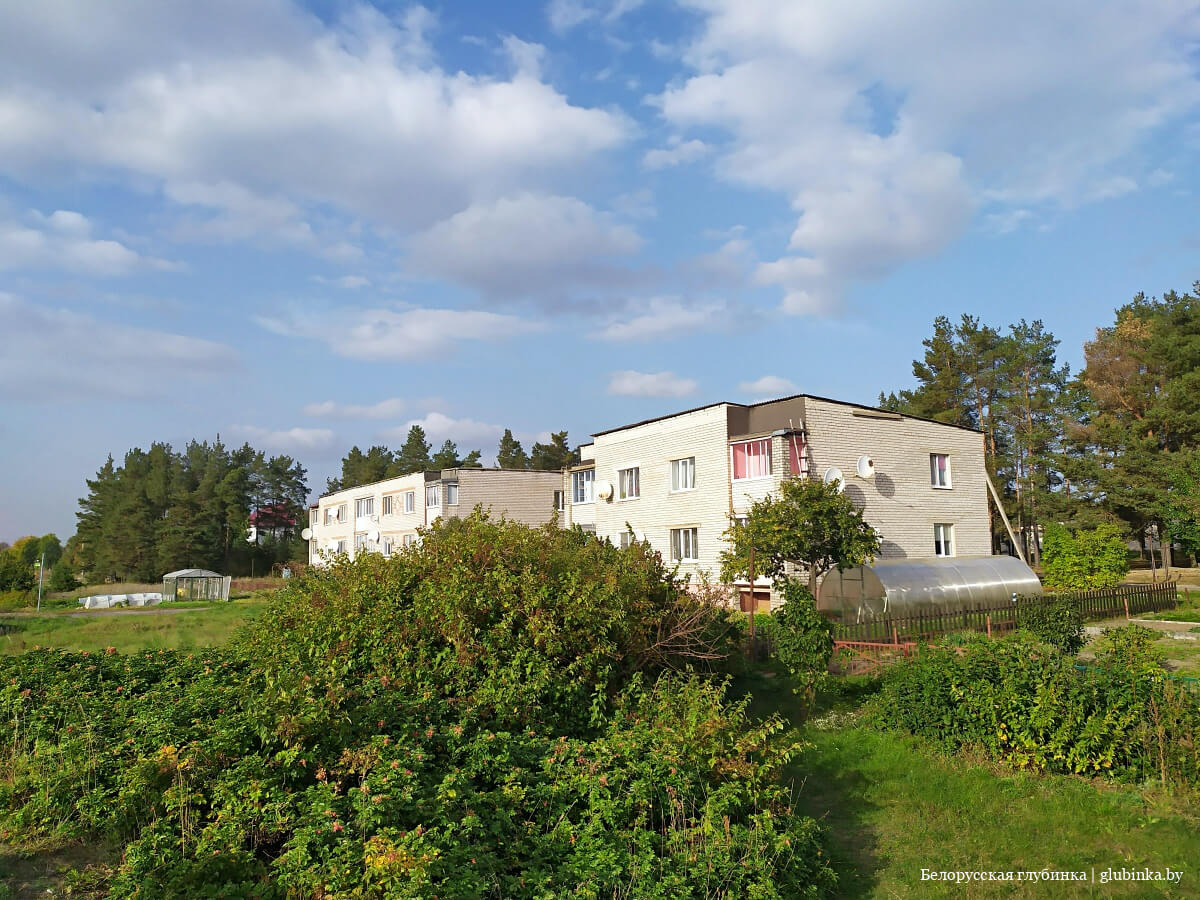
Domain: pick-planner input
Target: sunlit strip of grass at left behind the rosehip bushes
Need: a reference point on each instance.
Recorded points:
(172, 627)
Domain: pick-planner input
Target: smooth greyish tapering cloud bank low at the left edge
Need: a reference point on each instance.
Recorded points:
(63, 355)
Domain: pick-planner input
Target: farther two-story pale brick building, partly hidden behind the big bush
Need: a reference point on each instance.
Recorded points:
(386, 515)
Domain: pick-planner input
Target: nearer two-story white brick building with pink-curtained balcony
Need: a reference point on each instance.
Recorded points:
(676, 481)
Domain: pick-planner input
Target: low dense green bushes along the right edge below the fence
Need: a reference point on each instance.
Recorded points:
(1029, 705)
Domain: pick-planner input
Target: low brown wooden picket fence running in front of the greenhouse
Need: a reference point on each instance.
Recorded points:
(1125, 601)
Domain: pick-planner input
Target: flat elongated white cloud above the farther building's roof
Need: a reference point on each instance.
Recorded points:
(386, 334)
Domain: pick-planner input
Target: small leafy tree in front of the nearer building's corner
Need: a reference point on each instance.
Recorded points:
(807, 524)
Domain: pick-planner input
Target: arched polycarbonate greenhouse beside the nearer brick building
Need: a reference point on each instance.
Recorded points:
(911, 587)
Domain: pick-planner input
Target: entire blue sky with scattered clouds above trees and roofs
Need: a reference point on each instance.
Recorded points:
(309, 227)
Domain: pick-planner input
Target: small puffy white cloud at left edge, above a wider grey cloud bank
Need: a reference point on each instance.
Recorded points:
(63, 241)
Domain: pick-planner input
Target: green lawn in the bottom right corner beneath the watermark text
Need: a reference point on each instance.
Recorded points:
(893, 807)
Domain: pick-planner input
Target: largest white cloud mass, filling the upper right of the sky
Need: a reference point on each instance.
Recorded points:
(848, 111)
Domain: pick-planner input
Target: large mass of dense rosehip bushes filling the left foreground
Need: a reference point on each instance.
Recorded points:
(491, 715)
